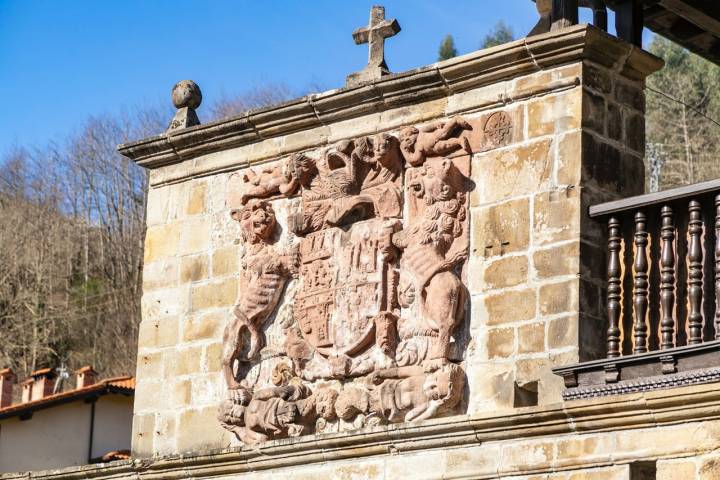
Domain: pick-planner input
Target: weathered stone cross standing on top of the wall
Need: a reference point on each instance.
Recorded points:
(374, 35)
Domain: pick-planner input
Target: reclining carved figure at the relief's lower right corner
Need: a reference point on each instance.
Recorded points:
(409, 393)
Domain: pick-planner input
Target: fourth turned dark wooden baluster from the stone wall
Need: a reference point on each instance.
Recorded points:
(695, 317)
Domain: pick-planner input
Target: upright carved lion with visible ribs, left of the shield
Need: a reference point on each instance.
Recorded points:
(263, 275)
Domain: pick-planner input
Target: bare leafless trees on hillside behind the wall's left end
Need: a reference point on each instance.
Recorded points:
(72, 225)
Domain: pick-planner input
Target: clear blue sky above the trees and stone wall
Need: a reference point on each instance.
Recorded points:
(62, 61)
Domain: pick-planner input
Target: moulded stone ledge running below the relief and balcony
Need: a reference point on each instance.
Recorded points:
(650, 409)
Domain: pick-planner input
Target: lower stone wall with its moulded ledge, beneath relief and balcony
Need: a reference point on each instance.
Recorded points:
(602, 439)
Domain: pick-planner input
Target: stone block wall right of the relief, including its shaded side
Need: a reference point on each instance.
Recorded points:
(538, 261)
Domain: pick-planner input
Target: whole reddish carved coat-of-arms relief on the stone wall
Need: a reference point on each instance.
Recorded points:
(371, 273)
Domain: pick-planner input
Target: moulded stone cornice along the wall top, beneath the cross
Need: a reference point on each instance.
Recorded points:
(443, 79)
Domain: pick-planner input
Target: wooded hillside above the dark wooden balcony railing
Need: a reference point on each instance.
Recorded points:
(682, 118)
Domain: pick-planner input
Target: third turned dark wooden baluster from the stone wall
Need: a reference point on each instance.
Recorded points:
(667, 278)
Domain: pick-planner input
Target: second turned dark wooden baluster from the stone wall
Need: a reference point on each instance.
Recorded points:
(640, 290)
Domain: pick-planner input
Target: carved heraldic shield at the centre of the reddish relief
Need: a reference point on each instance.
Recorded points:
(343, 287)
